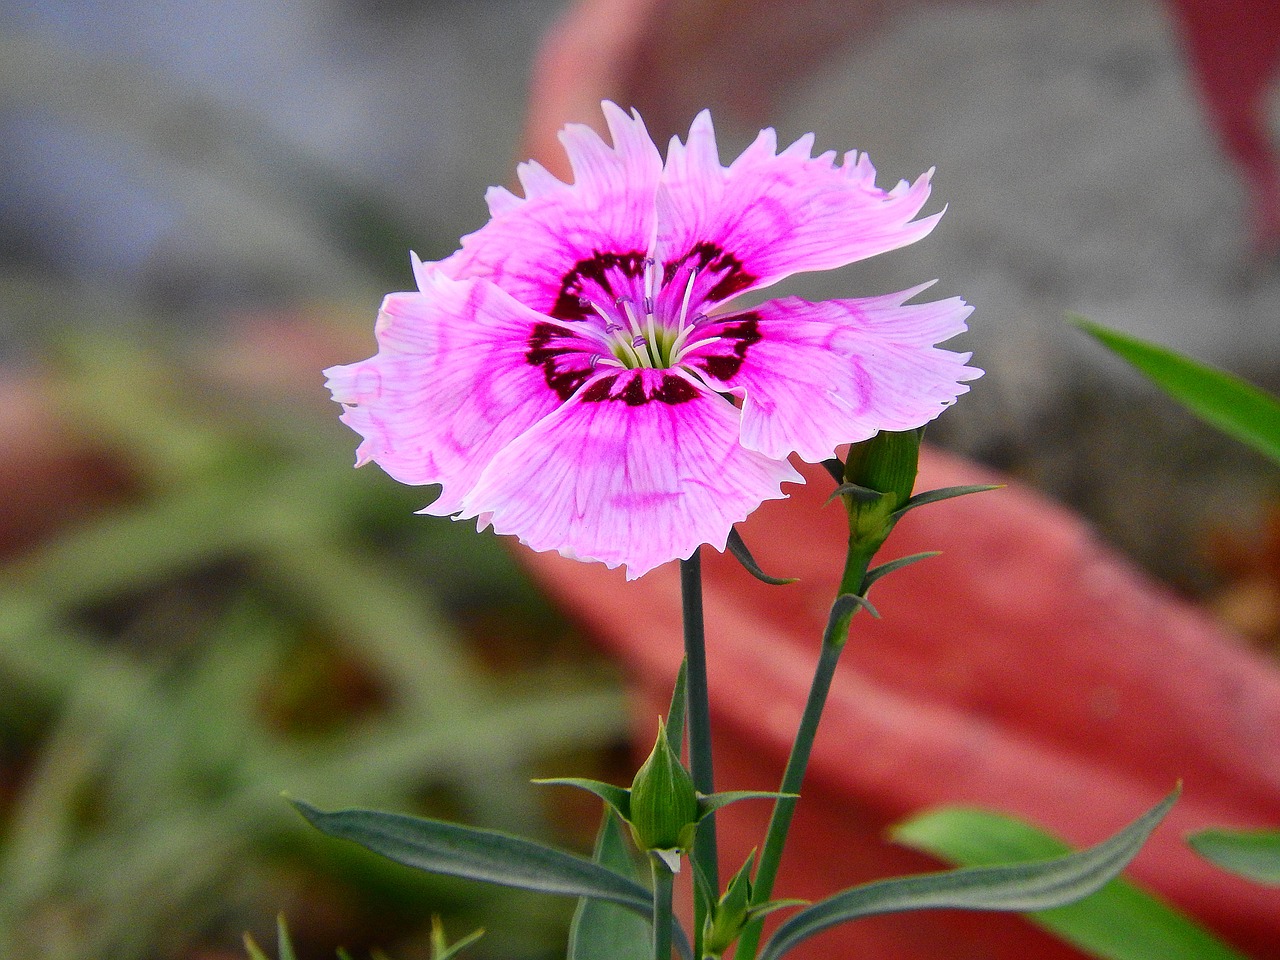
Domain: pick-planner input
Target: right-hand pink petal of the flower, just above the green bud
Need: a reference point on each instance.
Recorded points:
(816, 376)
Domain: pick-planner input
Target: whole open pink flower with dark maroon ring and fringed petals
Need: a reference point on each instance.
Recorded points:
(572, 376)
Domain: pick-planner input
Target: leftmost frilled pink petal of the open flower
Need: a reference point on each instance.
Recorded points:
(454, 382)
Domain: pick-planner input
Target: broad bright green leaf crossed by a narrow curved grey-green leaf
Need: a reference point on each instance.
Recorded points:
(1121, 922)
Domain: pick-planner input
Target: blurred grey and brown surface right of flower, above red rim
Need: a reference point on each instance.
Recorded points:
(1078, 176)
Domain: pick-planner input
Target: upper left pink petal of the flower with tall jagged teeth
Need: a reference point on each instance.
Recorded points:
(533, 246)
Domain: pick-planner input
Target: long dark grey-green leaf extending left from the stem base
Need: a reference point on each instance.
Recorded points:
(483, 856)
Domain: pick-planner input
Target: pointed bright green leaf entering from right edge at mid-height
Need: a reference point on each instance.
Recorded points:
(1223, 400)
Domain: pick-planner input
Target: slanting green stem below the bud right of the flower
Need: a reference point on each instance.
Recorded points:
(857, 563)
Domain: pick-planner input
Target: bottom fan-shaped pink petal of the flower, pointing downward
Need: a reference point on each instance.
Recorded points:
(639, 468)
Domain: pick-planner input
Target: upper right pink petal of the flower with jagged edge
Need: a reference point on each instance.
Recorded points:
(770, 216)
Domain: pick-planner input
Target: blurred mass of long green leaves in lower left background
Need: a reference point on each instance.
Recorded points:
(252, 616)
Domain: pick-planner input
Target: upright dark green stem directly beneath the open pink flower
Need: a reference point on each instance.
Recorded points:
(700, 711)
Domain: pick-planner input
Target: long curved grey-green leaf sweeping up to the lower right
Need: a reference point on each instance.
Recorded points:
(1017, 888)
